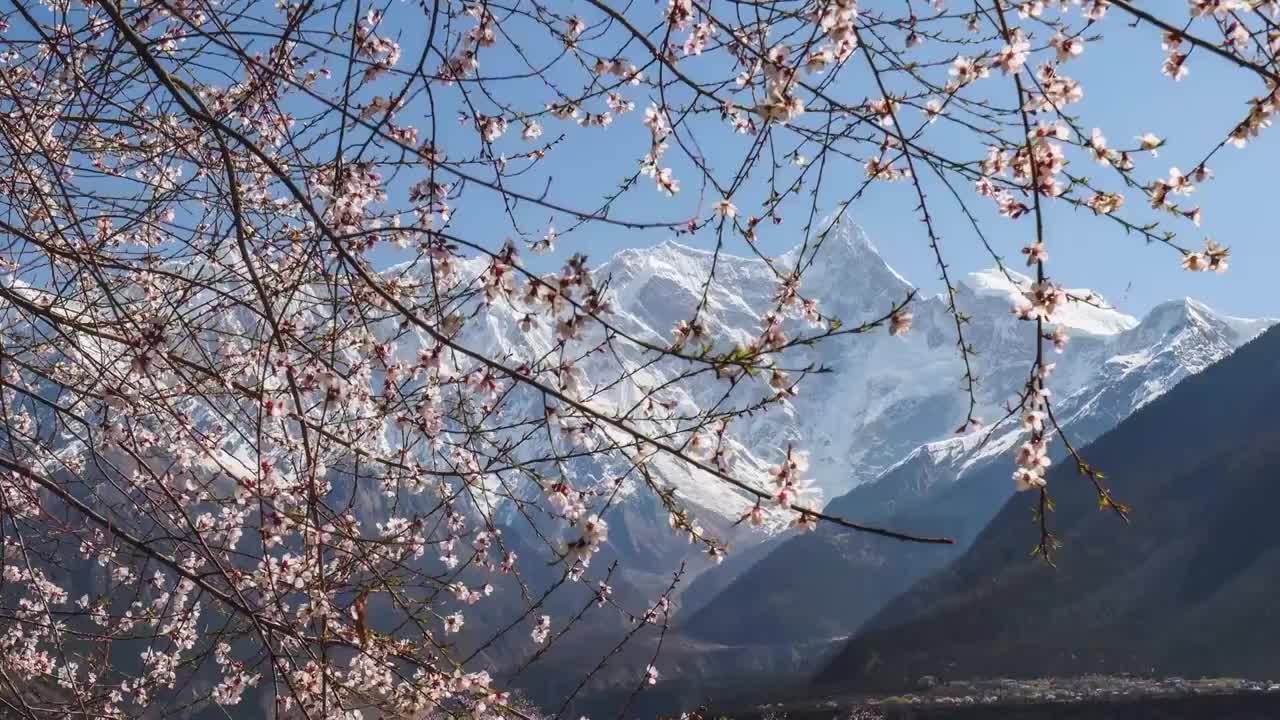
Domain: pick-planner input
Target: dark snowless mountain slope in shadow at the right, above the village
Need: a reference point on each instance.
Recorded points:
(1188, 587)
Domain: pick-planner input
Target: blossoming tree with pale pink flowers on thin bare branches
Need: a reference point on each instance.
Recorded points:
(255, 455)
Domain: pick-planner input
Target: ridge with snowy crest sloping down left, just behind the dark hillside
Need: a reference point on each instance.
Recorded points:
(831, 582)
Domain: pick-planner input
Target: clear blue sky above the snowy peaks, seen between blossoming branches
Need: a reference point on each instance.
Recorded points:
(1124, 94)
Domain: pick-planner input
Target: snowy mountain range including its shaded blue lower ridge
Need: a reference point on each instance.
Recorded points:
(880, 430)
